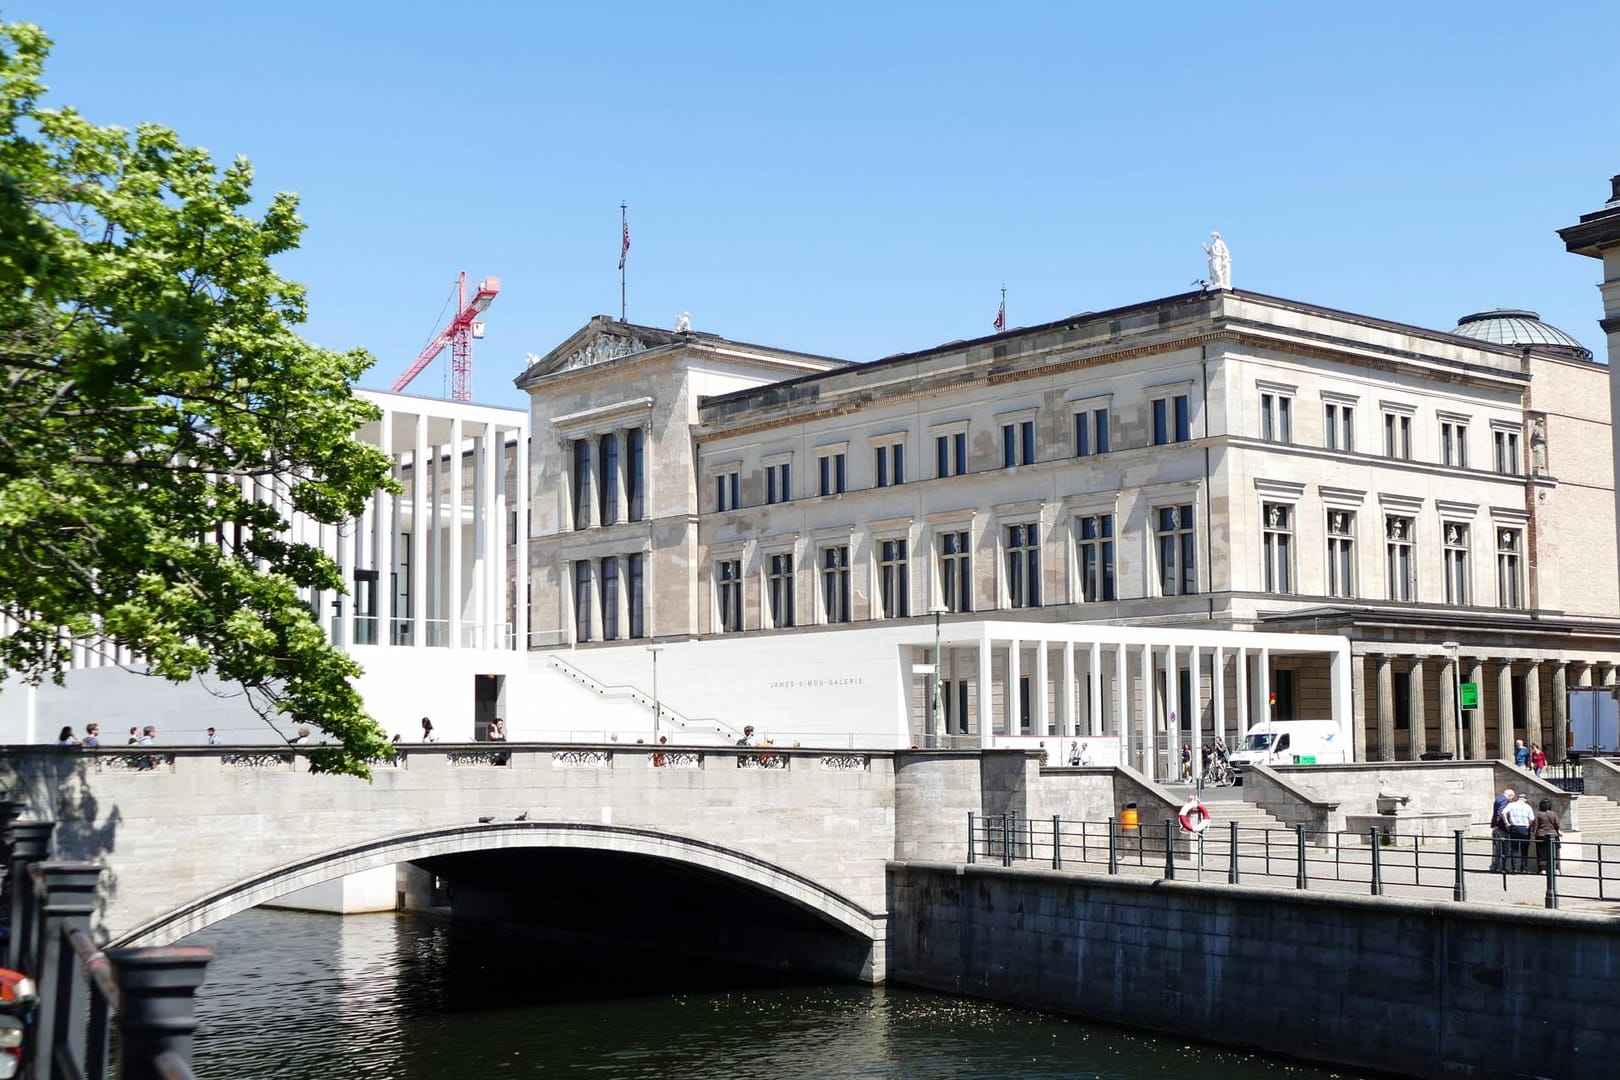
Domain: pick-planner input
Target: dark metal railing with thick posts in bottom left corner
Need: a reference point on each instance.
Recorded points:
(122, 1013)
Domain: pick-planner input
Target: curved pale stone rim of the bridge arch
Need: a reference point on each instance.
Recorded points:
(404, 848)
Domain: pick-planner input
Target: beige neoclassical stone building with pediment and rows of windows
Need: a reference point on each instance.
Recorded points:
(1216, 461)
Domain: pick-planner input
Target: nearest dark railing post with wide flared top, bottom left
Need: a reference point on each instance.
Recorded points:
(160, 1006)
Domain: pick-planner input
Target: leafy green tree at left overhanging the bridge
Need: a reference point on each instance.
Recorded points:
(160, 419)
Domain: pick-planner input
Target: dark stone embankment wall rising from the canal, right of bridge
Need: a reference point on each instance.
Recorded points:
(1417, 989)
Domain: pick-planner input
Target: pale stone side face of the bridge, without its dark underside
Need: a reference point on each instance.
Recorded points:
(181, 825)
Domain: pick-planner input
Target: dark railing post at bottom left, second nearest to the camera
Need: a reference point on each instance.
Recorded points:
(64, 891)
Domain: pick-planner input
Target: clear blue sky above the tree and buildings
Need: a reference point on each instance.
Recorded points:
(859, 181)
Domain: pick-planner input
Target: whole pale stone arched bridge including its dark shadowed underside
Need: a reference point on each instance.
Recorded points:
(686, 844)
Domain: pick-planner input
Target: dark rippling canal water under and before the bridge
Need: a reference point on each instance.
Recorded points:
(315, 997)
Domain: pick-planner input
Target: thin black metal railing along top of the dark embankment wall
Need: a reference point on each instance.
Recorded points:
(1375, 862)
